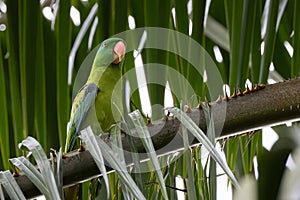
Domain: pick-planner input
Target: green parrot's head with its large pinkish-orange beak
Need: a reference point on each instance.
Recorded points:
(110, 51)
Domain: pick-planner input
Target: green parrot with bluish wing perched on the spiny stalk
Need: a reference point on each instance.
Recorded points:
(92, 104)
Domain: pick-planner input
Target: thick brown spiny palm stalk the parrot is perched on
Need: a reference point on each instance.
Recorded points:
(262, 106)
